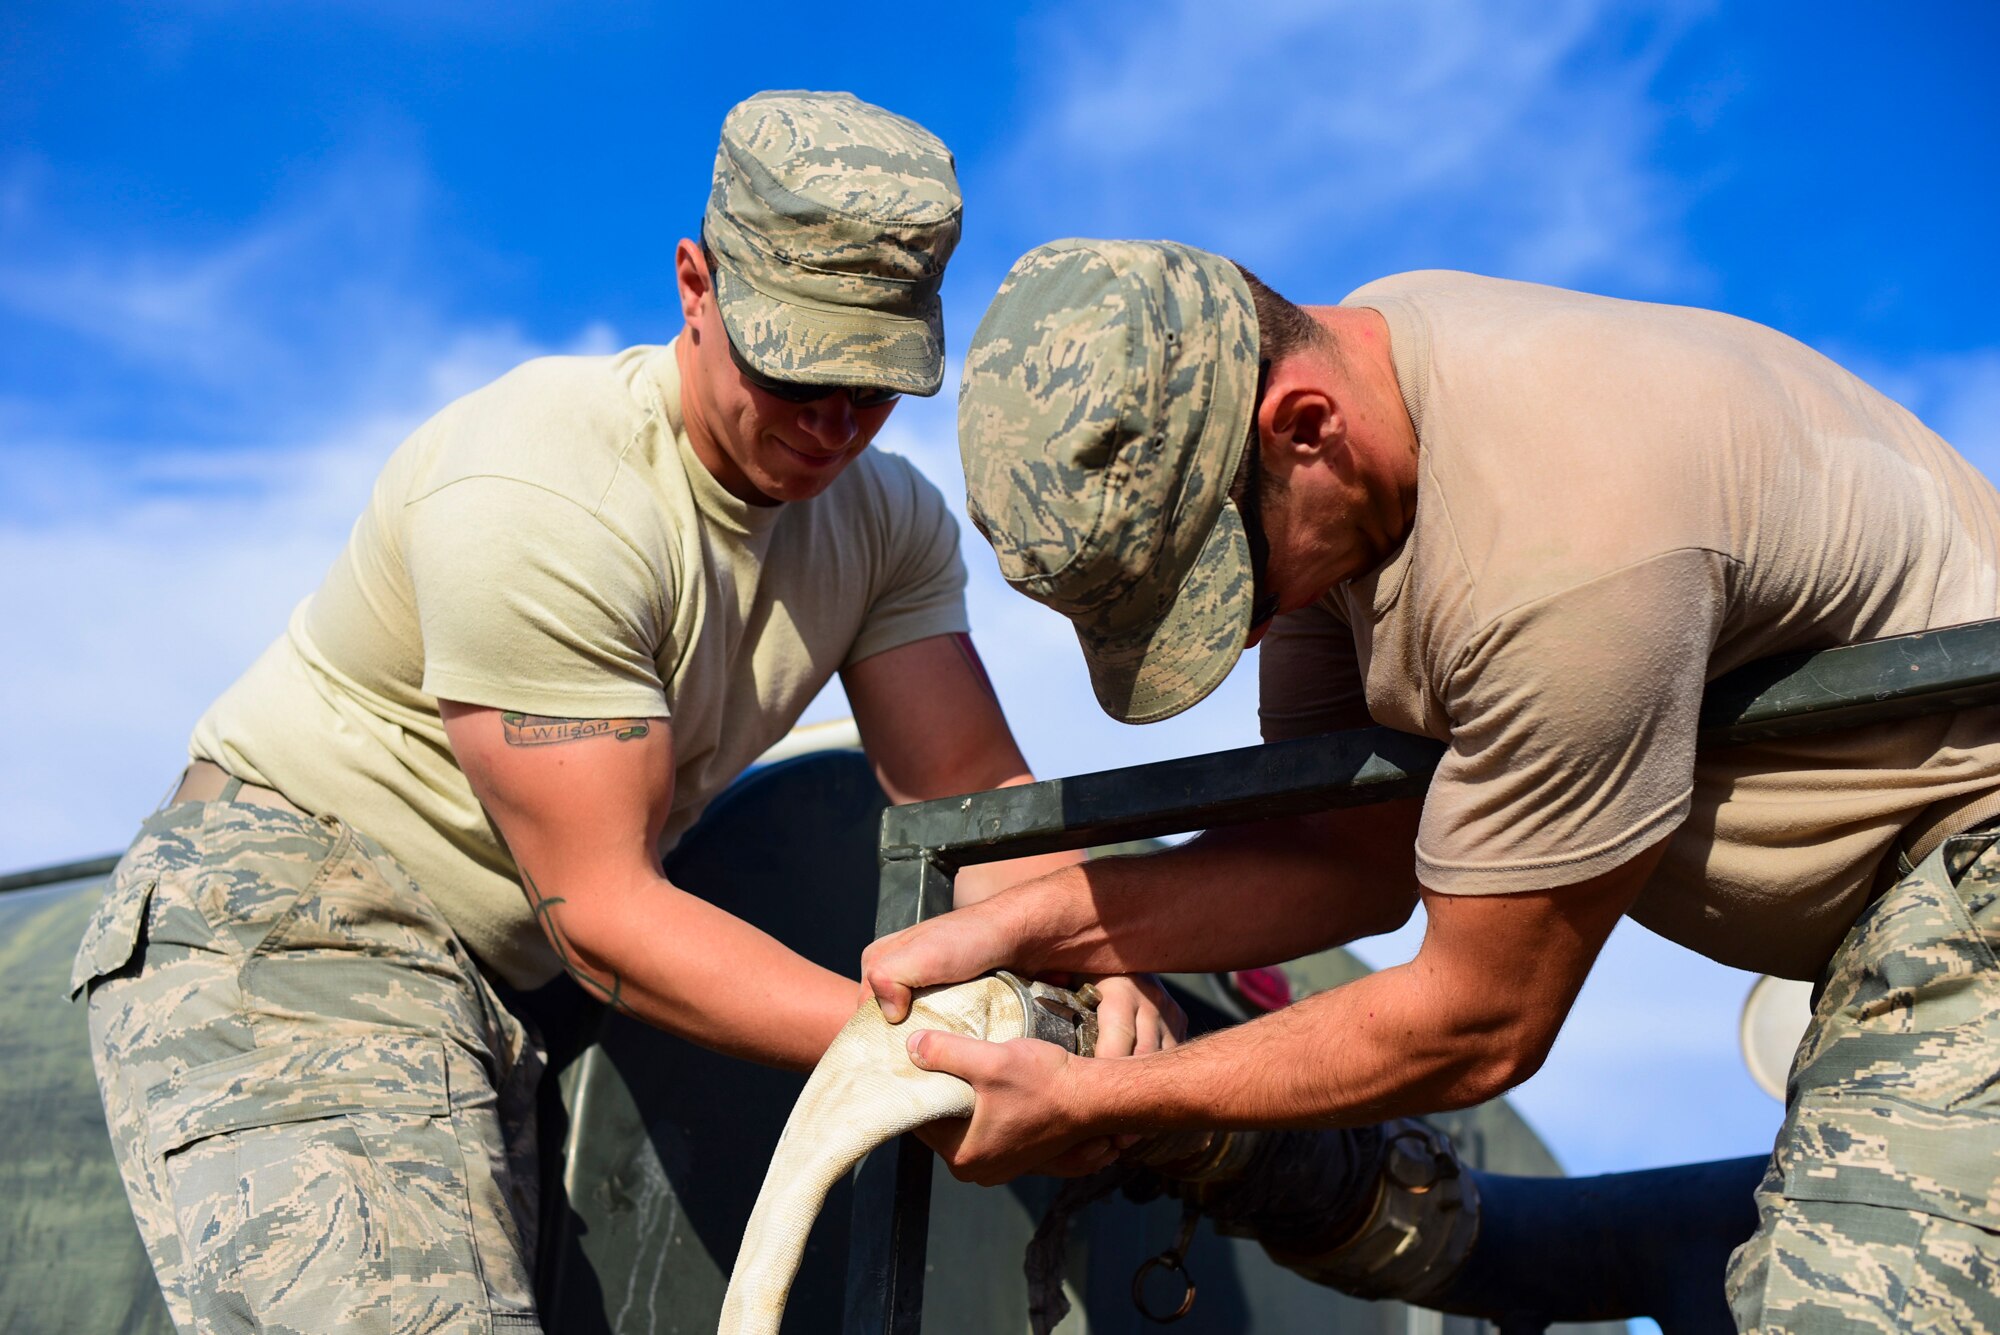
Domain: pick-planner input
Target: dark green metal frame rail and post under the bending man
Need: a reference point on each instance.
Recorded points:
(925, 844)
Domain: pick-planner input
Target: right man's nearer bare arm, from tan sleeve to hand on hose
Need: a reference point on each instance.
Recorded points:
(1467, 1020)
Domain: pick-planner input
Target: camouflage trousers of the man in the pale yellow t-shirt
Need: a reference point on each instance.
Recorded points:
(323, 1114)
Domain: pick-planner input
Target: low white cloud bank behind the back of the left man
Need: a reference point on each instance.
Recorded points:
(135, 591)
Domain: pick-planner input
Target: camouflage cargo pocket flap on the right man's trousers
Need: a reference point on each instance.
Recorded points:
(1873, 1150)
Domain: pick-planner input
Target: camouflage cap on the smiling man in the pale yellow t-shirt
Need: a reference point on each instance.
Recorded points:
(831, 223)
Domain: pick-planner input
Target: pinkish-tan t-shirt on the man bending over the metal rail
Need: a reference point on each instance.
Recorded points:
(1619, 503)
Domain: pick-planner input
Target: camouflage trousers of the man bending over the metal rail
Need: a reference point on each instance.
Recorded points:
(1881, 1210)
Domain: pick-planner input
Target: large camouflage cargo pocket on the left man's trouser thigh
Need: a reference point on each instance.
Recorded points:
(321, 1186)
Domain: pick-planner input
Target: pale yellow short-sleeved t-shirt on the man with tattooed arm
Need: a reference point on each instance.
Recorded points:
(553, 545)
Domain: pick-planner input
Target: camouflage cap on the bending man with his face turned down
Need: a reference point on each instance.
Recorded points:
(1103, 419)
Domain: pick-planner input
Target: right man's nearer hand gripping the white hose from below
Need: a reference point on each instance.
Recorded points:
(1025, 1110)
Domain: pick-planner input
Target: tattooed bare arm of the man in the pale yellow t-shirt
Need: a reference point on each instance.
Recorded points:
(581, 806)
